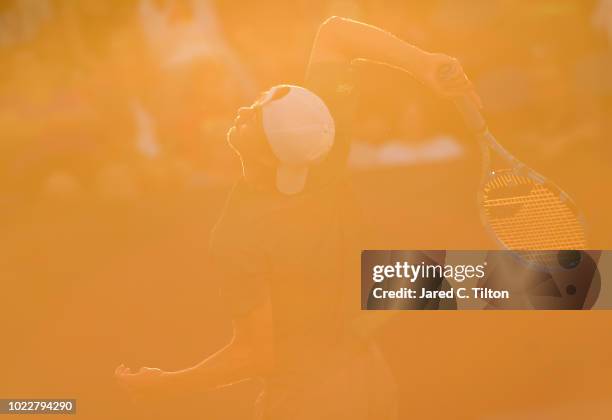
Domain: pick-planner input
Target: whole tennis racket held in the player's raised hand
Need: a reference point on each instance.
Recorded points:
(520, 208)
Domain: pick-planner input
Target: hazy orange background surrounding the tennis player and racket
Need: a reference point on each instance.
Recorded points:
(114, 168)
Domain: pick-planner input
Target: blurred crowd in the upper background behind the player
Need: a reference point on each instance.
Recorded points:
(118, 98)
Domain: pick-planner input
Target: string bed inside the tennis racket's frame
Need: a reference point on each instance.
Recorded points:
(529, 216)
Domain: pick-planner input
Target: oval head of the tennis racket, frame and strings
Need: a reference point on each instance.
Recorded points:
(525, 212)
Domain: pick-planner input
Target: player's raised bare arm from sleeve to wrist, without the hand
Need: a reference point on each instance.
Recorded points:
(348, 39)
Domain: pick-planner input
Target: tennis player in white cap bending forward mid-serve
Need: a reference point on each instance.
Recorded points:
(286, 247)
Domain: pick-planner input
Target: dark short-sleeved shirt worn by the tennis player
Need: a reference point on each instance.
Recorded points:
(297, 249)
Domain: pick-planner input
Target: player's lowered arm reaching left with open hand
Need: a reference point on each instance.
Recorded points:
(249, 354)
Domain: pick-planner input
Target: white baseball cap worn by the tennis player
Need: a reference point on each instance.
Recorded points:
(300, 130)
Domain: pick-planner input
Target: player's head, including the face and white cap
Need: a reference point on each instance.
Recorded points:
(284, 133)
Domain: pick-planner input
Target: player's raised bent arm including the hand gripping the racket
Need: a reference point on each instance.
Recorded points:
(344, 40)
